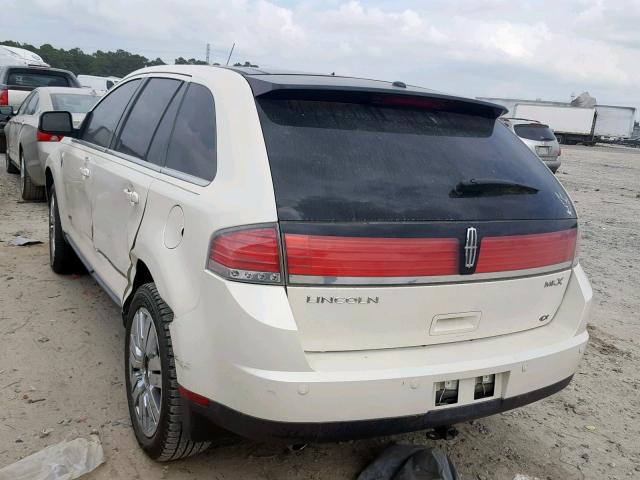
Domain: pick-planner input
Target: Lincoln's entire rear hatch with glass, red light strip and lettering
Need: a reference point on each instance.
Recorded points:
(407, 220)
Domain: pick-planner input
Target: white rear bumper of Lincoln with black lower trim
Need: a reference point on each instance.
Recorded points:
(276, 390)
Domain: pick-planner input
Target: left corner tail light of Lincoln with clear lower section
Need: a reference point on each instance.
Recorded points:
(246, 254)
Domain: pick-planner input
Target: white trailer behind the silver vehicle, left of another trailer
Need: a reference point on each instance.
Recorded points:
(571, 124)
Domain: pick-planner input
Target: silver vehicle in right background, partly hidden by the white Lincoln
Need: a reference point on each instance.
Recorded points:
(539, 138)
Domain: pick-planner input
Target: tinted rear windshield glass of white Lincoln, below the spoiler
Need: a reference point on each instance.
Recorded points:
(342, 161)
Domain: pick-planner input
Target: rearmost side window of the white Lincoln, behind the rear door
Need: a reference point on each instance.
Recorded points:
(192, 148)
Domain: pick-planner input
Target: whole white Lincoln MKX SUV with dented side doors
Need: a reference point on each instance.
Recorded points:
(313, 257)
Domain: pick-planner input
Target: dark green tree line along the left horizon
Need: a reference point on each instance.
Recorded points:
(118, 63)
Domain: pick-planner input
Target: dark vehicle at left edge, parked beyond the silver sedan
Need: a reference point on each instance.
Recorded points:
(16, 82)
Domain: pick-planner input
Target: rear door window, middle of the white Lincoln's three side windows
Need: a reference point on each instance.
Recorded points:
(142, 120)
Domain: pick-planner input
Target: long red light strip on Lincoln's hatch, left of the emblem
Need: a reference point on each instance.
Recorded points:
(329, 256)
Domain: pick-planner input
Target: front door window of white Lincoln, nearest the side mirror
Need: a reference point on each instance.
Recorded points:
(105, 116)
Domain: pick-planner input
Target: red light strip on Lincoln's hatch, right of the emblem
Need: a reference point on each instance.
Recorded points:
(521, 252)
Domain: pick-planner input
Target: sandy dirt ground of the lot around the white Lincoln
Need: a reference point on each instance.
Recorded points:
(61, 363)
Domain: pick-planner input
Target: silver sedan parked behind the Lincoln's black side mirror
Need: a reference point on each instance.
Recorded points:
(27, 147)
